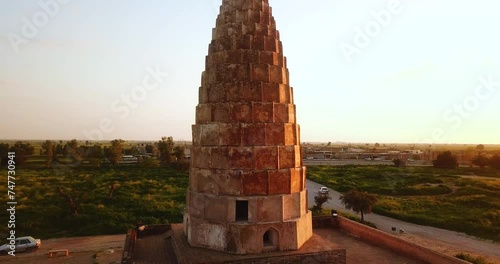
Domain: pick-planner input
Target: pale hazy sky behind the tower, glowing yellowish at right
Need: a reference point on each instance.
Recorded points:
(362, 71)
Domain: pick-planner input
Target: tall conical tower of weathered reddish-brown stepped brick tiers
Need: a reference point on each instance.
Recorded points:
(247, 184)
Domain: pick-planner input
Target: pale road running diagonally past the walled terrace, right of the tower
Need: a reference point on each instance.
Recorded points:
(442, 240)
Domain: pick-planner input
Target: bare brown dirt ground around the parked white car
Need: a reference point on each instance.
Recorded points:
(82, 250)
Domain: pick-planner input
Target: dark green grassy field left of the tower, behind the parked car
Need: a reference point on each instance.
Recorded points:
(80, 201)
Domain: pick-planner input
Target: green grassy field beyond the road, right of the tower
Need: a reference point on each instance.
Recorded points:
(462, 199)
